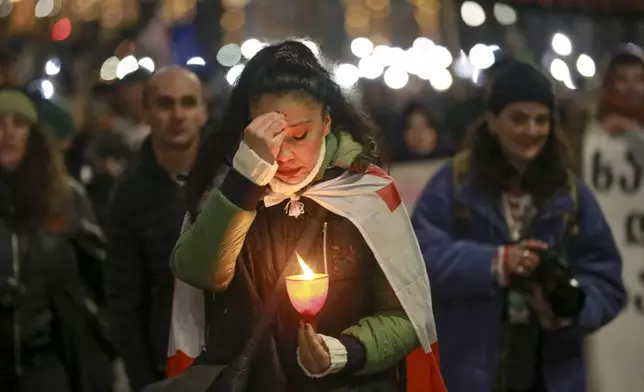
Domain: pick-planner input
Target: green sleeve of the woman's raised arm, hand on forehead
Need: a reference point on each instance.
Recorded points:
(206, 253)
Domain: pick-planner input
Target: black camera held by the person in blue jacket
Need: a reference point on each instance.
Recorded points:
(560, 288)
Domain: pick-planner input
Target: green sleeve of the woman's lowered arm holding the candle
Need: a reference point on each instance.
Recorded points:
(388, 336)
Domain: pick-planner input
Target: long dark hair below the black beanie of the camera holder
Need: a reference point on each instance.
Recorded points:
(544, 177)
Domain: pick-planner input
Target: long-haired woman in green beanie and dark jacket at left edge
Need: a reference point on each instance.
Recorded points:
(51, 251)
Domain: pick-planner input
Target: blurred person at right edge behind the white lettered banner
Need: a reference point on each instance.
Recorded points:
(621, 105)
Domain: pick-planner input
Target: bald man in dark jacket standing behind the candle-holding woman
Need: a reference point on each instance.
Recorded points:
(144, 223)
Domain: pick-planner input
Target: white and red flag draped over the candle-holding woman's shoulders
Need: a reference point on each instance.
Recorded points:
(372, 203)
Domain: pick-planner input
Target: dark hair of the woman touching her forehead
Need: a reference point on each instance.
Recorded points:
(284, 68)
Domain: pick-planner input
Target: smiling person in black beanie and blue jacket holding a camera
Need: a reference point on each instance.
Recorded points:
(522, 262)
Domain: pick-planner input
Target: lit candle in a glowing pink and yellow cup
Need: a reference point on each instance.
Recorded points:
(307, 292)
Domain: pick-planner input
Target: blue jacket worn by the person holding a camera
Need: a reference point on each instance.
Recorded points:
(468, 303)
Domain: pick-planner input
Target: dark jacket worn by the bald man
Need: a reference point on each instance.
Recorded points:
(143, 224)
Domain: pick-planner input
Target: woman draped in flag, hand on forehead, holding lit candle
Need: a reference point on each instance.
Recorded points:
(290, 131)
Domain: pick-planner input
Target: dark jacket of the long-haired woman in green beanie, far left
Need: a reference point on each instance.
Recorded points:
(50, 283)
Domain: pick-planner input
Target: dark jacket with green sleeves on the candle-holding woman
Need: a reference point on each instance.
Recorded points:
(237, 248)
